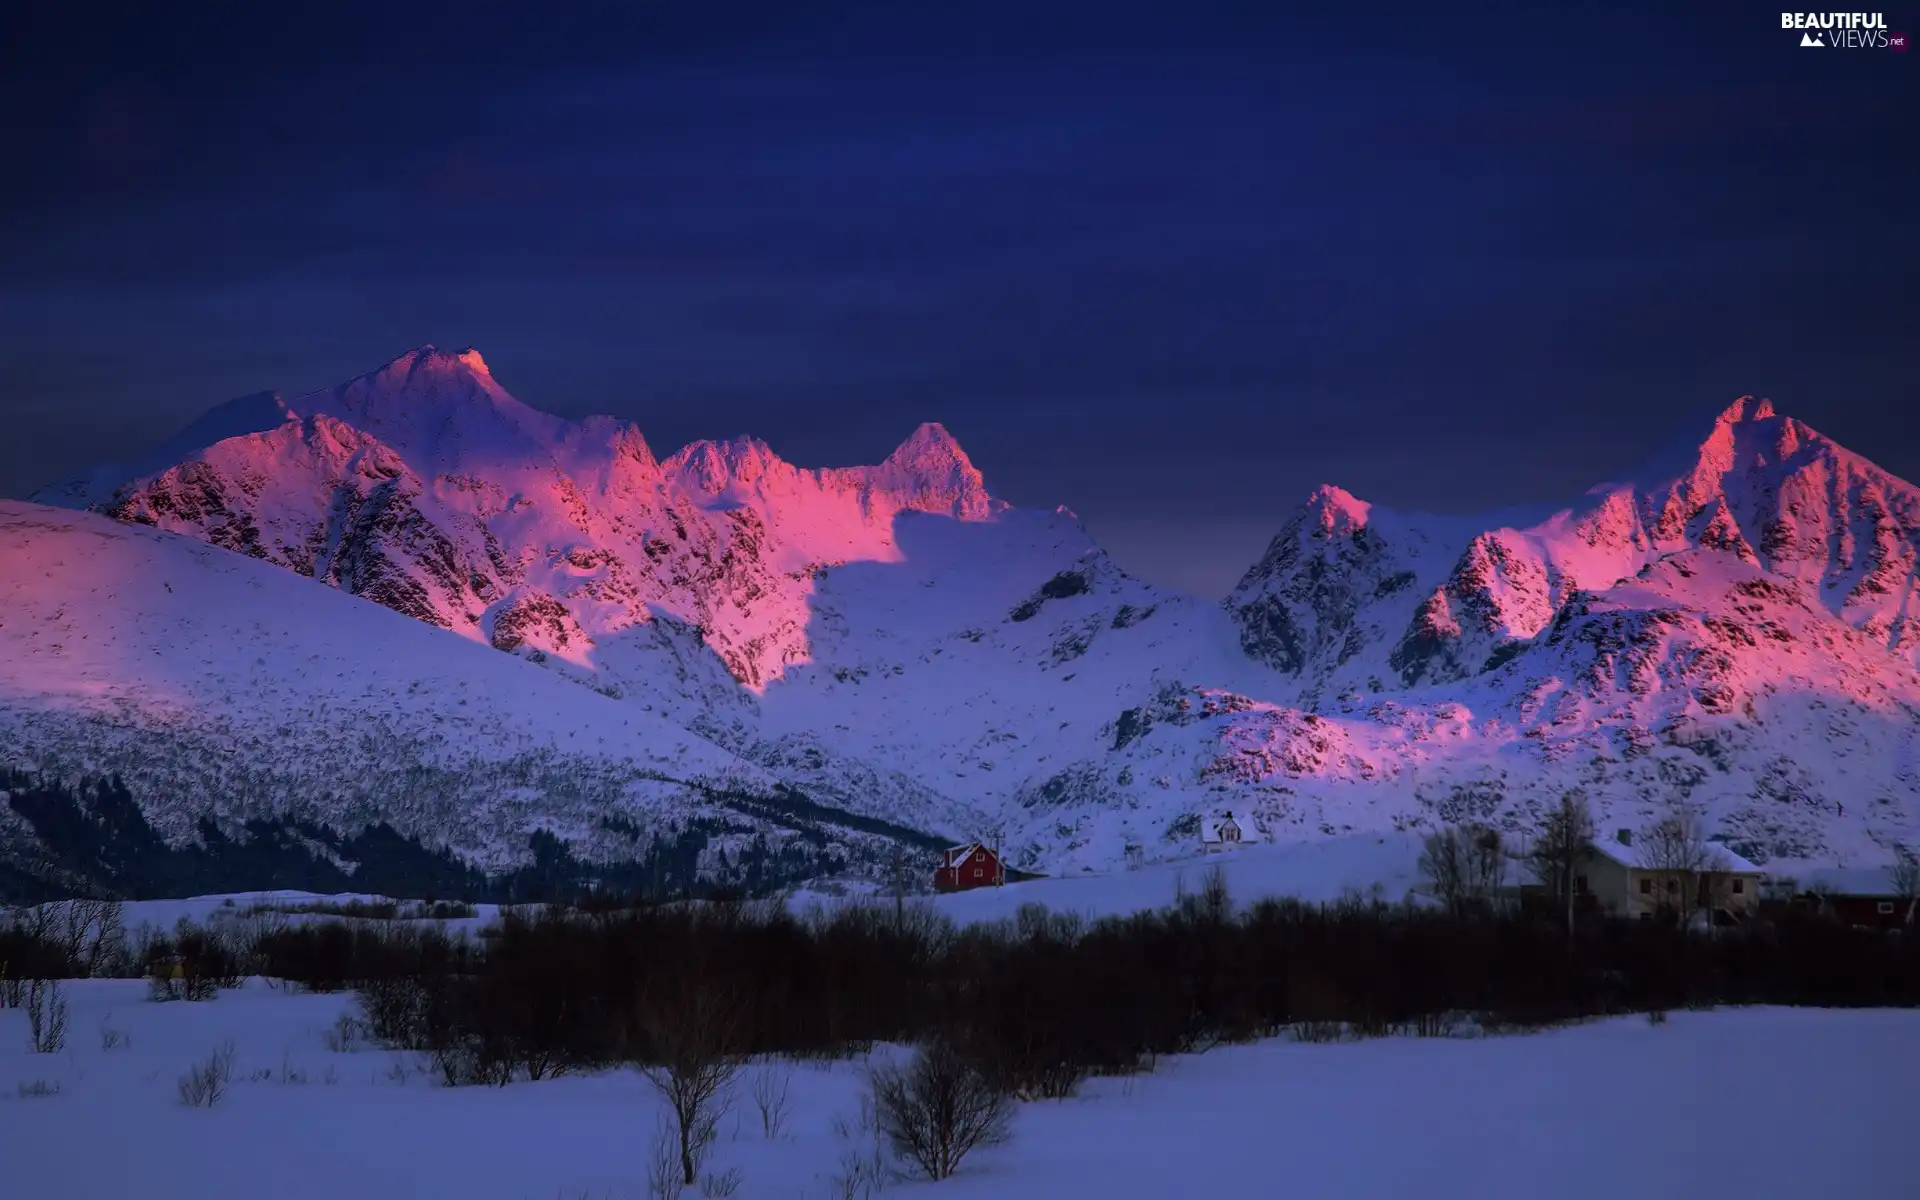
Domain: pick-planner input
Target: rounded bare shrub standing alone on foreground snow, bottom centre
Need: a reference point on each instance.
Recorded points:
(940, 1109)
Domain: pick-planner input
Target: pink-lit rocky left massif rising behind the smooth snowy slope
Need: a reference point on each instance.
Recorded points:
(427, 489)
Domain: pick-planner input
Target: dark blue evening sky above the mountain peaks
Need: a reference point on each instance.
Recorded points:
(1166, 264)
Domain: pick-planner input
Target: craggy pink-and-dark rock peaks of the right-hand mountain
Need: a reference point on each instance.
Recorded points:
(1760, 489)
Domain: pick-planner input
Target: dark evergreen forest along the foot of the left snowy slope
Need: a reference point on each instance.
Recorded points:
(93, 840)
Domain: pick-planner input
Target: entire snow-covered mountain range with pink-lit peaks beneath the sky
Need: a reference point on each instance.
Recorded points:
(1737, 623)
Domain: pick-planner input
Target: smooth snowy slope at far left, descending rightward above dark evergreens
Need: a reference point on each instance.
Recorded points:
(249, 692)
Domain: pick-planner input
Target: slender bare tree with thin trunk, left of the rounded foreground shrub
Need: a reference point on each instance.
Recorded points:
(690, 1049)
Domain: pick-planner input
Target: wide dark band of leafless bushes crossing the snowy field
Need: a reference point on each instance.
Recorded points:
(1044, 1001)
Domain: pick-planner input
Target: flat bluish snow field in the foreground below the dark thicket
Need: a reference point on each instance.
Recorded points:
(1746, 1103)
